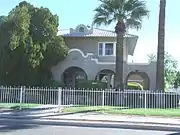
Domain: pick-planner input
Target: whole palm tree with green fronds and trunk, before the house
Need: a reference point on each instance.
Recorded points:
(126, 14)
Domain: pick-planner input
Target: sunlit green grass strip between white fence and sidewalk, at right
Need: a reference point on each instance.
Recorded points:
(125, 111)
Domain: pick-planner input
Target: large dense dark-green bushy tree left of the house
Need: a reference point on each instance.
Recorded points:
(29, 45)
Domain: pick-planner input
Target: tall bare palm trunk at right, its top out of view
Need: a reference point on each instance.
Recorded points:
(160, 51)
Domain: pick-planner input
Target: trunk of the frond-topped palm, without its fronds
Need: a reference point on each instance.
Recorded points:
(120, 29)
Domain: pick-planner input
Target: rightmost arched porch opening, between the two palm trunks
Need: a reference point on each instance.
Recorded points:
(139, 77)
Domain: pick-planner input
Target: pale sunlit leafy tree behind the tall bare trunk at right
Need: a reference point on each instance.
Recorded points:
(170, 67)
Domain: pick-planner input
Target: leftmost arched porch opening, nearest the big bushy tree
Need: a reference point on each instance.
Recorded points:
(72, 75)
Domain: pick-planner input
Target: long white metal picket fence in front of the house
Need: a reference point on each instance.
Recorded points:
(89, 98)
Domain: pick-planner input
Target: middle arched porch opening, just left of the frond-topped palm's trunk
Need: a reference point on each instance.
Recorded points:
(107, 76)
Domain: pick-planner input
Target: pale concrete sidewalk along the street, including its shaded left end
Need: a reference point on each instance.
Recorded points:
(52, 114)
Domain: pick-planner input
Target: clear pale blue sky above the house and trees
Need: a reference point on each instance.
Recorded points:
(74, 12)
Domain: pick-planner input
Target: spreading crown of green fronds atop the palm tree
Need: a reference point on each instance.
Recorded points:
(131, 12)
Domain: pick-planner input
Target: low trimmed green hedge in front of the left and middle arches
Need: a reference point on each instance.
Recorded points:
(90, 84)
